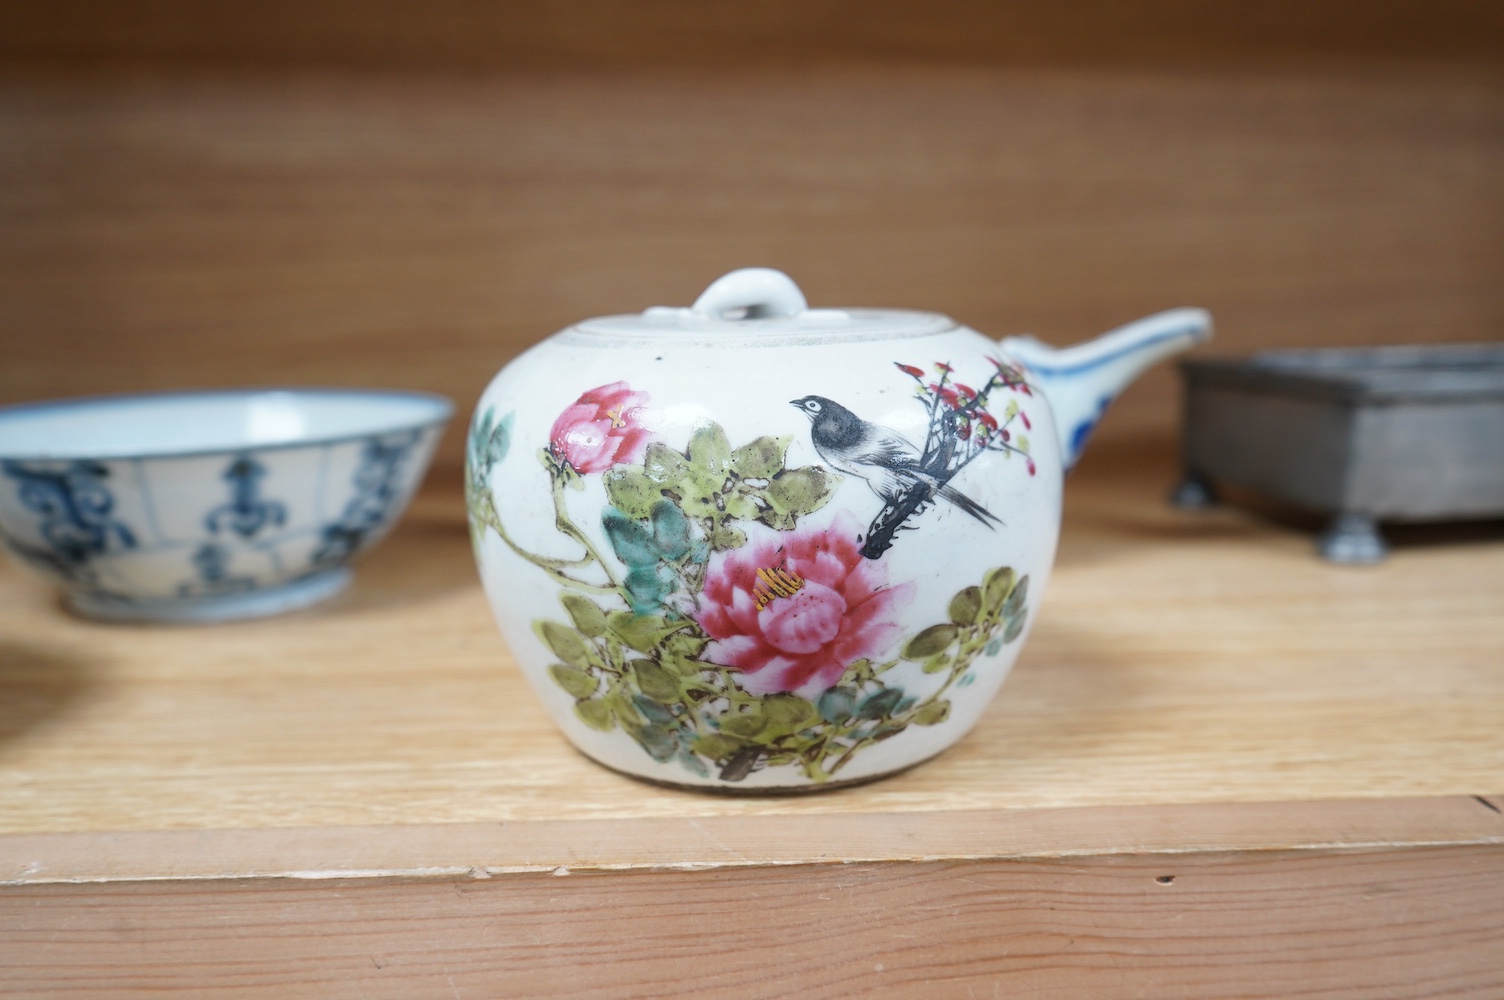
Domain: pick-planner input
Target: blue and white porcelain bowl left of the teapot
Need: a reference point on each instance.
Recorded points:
(201, 508)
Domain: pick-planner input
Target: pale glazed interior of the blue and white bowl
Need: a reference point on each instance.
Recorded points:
(193, 423)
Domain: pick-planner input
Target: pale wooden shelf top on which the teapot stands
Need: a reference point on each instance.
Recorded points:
(1178, 659)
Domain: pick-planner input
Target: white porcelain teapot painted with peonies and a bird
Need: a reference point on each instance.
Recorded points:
(753, 545)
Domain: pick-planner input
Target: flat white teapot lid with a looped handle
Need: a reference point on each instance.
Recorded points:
(766, 305)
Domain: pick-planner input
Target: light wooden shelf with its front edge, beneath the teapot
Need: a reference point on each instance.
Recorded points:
(1222, 768)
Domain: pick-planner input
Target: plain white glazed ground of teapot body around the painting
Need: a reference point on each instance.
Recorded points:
(745, 384)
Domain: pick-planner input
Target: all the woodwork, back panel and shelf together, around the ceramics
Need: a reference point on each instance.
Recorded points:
(1287, 783)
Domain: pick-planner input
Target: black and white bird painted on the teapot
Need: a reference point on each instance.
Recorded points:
(888, 461)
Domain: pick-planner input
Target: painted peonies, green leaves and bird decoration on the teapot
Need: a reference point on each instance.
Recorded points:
(735, 620)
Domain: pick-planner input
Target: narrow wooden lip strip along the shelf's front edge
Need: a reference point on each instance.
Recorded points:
(481, 850)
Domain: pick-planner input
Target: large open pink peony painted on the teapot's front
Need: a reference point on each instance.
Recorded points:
(793, 610)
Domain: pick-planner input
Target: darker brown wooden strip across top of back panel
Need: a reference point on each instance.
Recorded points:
(453, 34)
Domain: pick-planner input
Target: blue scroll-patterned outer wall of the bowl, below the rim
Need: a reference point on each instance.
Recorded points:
(249, 539)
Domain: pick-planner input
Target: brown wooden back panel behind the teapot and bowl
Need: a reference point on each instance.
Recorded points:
(199, 195)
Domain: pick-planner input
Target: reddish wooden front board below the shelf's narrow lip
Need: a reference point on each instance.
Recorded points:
(1333, 926)
